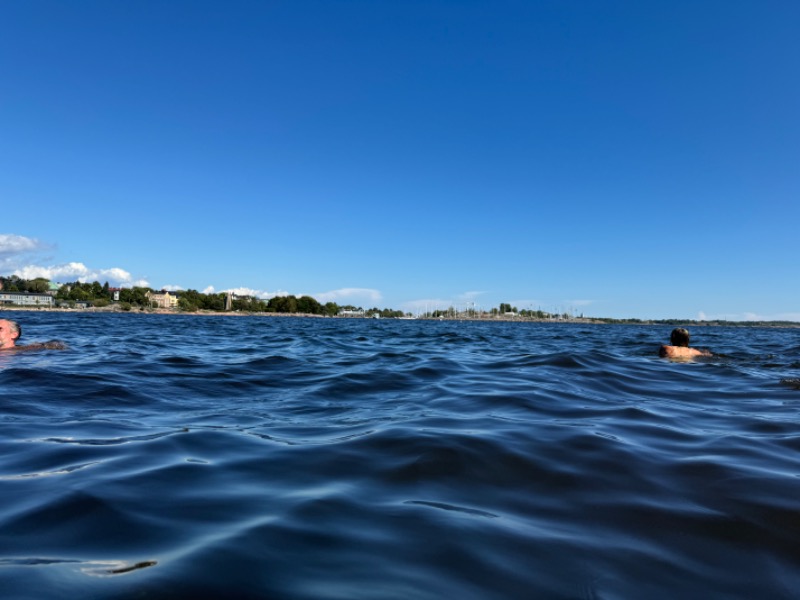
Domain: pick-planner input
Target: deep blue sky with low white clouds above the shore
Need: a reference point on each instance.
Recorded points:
(615, 158)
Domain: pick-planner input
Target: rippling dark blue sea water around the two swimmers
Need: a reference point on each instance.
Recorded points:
(255, 457)
